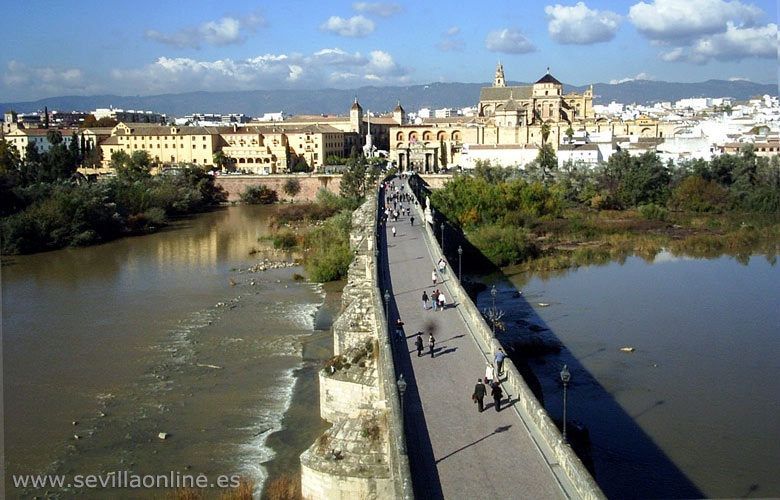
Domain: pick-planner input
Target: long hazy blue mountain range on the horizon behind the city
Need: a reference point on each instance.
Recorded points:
(379, 99)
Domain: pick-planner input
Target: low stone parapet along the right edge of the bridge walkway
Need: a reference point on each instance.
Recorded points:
(530, 410)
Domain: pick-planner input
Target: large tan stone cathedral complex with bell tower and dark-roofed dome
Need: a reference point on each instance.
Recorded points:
(509, 124)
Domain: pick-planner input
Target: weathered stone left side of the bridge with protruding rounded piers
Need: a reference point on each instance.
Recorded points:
(363, 454)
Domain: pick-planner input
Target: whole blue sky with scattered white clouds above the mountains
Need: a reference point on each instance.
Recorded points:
(56, 48)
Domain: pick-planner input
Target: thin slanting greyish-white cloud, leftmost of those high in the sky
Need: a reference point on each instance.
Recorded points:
(226, 31)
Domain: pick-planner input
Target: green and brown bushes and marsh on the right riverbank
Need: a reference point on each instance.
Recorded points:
(546, 218)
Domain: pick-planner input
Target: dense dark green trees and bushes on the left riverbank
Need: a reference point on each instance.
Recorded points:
(46, 205)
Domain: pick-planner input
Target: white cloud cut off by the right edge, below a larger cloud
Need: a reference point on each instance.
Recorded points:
(733, 45)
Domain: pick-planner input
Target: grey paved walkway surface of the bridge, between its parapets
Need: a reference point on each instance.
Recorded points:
(454, 451)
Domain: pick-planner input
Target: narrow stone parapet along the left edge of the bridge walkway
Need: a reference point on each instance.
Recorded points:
(399, 460)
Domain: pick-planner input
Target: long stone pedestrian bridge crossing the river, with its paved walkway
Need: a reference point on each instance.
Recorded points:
(430, 442)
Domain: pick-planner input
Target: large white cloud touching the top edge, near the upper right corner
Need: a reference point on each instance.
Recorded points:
(666, 20)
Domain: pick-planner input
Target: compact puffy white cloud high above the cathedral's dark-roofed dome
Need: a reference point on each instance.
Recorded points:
(581, 25)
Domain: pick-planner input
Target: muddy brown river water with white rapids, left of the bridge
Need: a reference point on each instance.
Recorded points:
(107, 346)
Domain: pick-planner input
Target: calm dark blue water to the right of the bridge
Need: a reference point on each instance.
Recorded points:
(694, 410)
